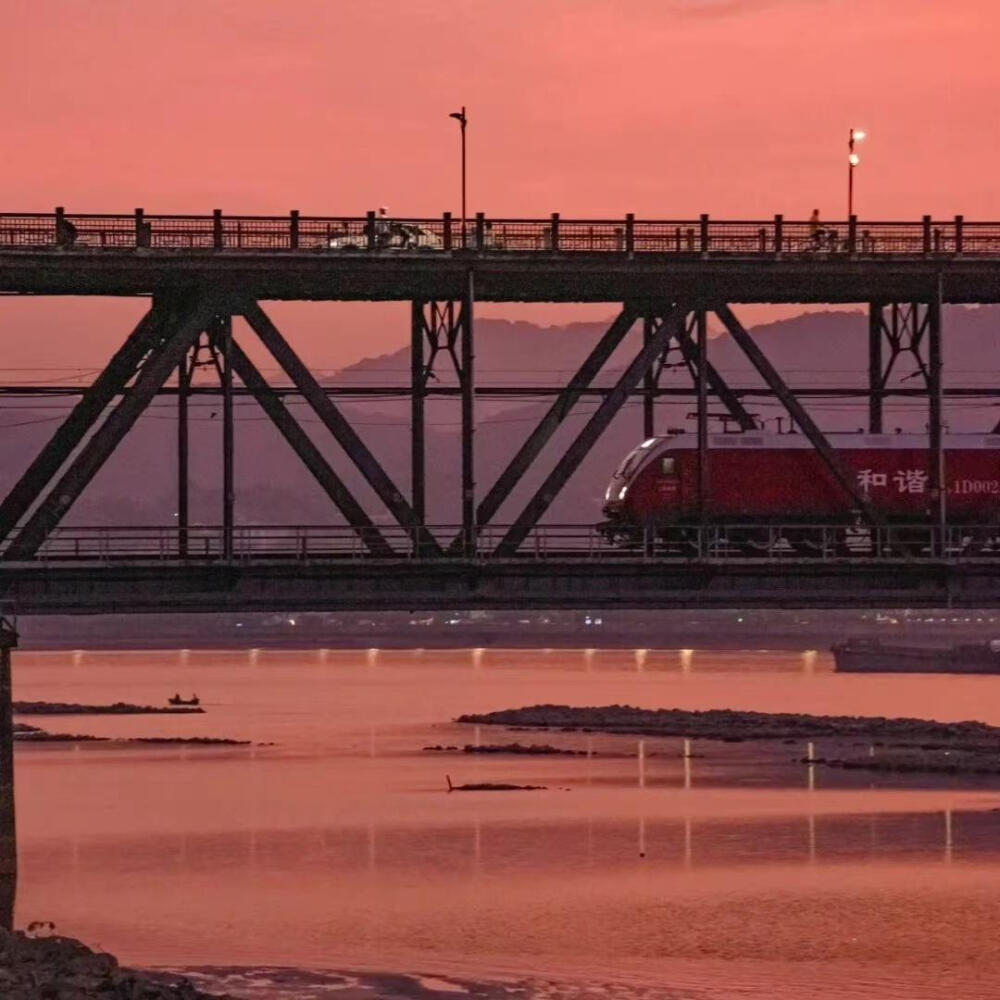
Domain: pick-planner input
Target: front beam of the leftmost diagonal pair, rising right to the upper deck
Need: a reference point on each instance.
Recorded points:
(179, 332)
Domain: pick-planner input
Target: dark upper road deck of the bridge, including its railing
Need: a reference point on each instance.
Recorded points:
(362, 258)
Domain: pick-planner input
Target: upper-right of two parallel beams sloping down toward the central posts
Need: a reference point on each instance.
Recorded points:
(324, 408)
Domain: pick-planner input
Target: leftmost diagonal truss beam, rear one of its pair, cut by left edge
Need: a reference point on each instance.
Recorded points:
(95, 400)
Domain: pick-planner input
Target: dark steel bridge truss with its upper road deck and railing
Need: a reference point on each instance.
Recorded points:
(200, 273)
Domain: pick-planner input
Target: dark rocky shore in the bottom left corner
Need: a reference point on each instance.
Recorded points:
(58, 968)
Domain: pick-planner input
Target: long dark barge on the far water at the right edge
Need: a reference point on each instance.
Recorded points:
(864, 656)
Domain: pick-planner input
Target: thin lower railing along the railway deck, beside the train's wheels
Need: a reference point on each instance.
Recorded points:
(714, 543)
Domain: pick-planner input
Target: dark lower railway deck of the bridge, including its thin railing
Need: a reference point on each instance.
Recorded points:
(570, 567)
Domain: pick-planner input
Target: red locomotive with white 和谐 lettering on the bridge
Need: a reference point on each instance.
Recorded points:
(768, 478)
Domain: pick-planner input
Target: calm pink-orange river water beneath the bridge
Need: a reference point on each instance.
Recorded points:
(337, 847)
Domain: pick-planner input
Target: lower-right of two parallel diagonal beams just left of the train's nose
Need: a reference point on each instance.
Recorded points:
(593, 429)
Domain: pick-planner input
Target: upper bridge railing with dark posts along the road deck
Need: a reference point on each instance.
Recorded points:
(700, 237)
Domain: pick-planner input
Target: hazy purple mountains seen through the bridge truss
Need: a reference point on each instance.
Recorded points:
(137, 486)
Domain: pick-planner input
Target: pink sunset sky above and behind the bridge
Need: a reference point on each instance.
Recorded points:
(739, 108)
